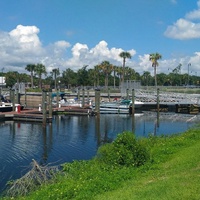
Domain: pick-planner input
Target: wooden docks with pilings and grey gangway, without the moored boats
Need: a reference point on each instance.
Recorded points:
(39, 109)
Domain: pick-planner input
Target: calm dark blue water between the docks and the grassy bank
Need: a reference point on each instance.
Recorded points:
(71, 138)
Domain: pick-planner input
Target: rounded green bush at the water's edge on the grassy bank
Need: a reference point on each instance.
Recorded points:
(124, 151)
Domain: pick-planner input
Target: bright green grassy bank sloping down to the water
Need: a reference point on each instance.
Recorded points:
(169, 169)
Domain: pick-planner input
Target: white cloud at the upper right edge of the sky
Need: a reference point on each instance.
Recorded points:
(185, 28)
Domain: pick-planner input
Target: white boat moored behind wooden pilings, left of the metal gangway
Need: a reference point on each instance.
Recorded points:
(121, 107)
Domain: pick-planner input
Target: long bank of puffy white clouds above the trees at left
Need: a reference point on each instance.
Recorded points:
(22, 46)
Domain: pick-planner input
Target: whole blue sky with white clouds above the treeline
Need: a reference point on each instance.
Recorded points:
(74, 33)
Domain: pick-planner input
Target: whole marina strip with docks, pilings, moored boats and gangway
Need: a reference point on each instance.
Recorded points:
(97, 103)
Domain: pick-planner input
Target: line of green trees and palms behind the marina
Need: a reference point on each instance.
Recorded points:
(104, 74)
